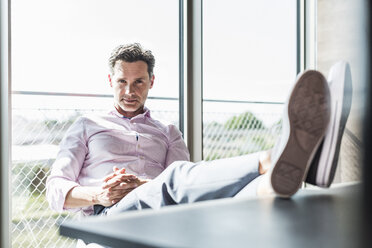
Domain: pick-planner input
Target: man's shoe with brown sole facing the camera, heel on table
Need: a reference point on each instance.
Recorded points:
(305, 120)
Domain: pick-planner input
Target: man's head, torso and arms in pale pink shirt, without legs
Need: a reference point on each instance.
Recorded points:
(126, 138)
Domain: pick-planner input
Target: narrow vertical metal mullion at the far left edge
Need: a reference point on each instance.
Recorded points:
(5, 112)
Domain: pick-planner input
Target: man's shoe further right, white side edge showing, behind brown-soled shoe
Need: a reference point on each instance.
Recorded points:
(323, 167)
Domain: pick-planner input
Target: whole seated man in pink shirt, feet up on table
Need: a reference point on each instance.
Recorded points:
(92, 149)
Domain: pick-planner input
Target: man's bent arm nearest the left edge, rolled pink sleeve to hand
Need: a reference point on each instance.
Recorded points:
(63, 188)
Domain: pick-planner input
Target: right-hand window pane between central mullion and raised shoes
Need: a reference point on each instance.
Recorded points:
(249, 65)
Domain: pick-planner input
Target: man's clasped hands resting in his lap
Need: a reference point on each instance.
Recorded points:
(117, 185)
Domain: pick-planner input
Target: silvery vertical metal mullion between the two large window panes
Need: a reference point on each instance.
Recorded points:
(194, 78)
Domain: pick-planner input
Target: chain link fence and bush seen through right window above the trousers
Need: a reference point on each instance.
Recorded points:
(239, 134)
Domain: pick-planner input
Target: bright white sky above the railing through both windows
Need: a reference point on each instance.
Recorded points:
(63, 45)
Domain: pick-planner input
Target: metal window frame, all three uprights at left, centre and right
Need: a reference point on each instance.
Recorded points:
(190, 80)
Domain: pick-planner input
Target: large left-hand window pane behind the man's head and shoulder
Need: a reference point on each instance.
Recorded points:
(59, 55)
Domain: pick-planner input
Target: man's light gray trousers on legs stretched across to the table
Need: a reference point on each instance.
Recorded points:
(186, 182)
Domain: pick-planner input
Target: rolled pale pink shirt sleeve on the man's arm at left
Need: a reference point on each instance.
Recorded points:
(67, 166)
